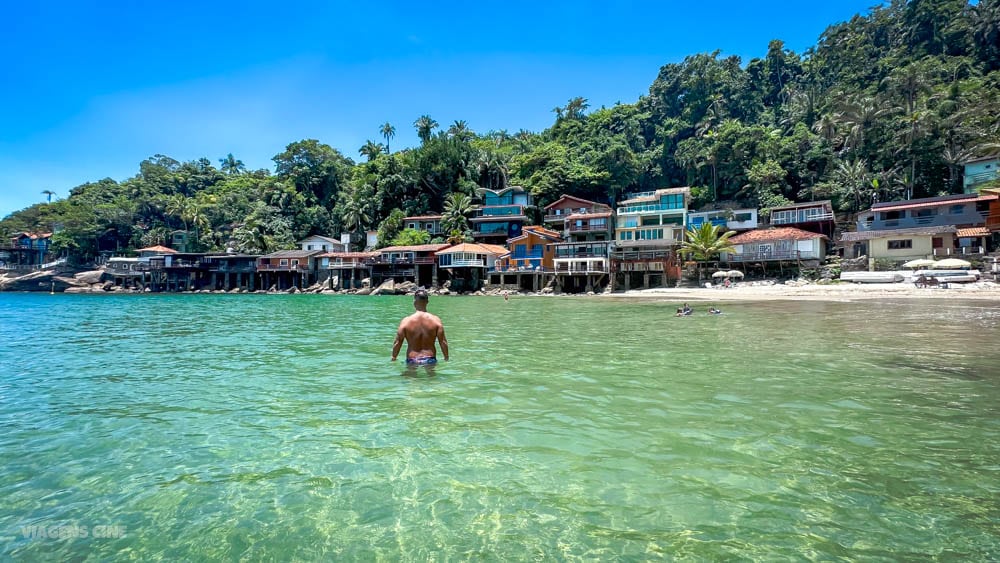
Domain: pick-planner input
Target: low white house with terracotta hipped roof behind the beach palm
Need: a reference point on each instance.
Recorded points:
(777, 244)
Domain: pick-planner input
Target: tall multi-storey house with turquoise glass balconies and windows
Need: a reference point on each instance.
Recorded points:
(649, 227)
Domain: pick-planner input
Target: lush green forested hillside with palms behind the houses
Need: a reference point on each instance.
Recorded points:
(885, 106)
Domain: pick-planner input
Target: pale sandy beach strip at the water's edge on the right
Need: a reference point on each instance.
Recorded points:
(987, 291)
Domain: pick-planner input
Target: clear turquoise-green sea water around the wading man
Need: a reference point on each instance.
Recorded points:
(250, 427)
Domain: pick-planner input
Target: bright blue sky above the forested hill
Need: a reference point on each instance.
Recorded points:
(91, 87)
